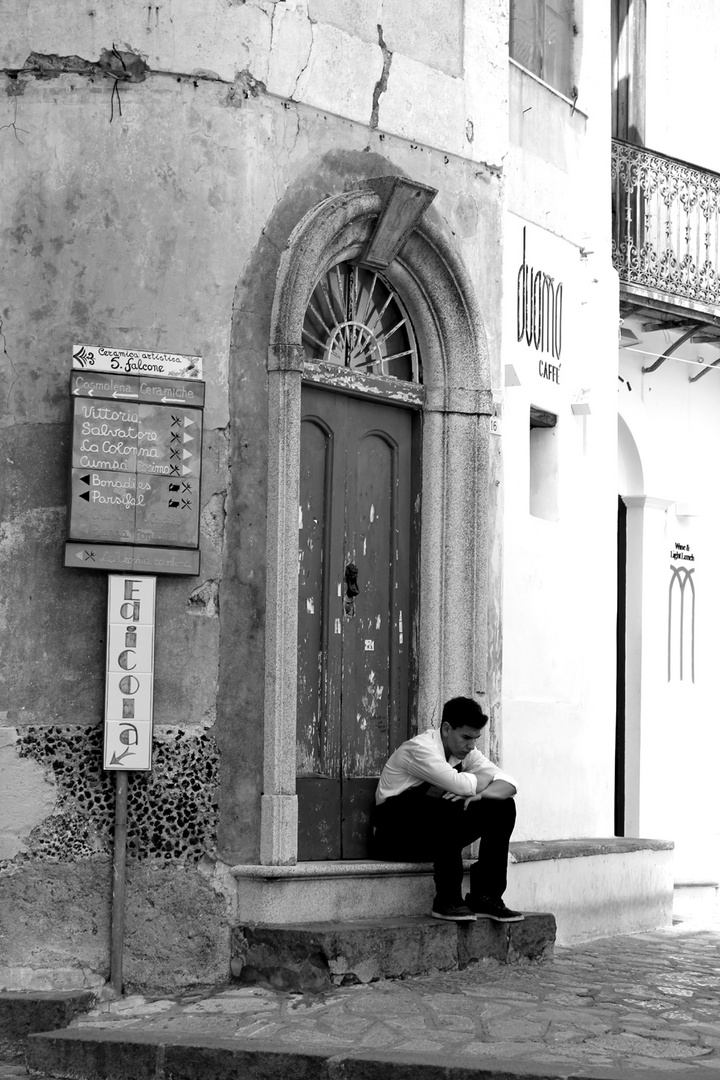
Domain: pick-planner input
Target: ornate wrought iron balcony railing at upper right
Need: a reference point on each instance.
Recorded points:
(667, 227)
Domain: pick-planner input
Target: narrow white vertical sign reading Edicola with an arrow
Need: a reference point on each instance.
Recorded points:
(130, 672)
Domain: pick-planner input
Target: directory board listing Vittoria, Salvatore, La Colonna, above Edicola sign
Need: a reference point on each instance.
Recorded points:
(137, 457)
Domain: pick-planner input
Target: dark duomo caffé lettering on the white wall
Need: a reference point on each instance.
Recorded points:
(539, 309)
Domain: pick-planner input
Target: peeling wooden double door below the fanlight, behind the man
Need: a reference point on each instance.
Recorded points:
(358, 524)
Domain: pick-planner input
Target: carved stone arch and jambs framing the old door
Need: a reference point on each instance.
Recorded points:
(459, 602)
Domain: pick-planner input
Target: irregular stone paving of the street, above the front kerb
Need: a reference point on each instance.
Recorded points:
(648, 1002)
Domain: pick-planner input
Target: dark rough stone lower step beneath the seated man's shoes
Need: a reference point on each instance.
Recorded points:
(313, 957)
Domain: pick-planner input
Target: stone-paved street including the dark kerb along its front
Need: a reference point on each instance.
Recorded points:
(579, 1017)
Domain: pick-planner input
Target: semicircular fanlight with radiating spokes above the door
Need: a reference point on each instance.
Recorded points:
(356, 320)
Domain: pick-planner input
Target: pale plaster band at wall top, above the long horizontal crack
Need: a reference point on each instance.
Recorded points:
(324, 55)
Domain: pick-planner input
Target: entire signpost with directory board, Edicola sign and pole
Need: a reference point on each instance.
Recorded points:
(135, 511)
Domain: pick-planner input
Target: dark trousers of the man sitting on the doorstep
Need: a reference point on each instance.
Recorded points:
(418, 827)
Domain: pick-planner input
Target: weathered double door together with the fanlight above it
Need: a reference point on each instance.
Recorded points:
(359, 544)
